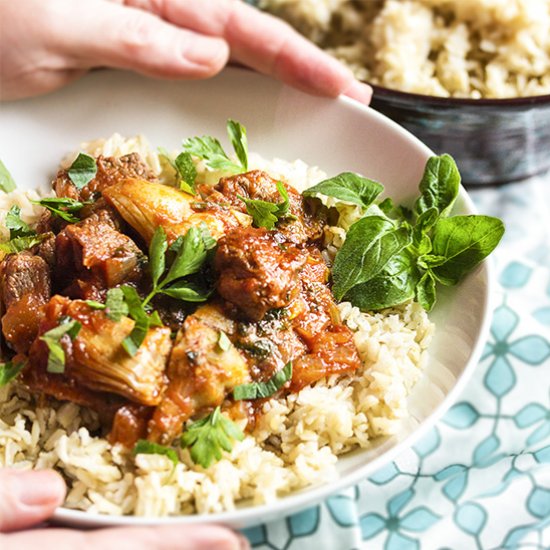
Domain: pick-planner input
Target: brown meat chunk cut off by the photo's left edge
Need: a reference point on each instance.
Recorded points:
(24, 288)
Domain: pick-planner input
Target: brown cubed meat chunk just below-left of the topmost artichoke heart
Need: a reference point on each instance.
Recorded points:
(94, 248)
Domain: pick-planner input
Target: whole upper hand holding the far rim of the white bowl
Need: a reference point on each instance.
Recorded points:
(46, 44)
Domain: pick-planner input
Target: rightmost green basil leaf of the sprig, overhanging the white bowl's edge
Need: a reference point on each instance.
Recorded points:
(465, 241)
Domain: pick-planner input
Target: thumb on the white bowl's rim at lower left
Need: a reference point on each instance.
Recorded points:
(28, 497)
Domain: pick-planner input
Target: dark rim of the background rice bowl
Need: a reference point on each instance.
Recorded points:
(527, 101)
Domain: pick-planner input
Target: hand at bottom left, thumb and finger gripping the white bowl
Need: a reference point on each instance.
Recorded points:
(29, 497)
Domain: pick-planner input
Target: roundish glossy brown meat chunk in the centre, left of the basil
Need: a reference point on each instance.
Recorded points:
(258, 271)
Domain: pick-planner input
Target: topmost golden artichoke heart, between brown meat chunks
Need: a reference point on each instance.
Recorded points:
(145, 206)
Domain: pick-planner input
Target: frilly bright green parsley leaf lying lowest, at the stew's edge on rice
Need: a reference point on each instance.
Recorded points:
(208, 437)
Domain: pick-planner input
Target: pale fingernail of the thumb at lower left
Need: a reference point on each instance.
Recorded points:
(38, 487)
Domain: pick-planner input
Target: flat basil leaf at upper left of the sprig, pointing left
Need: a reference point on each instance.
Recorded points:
(349, 188)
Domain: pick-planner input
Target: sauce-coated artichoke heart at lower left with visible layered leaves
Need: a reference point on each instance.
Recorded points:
(101, 363)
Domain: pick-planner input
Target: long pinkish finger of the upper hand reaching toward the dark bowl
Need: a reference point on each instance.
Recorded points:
(264, 43)
